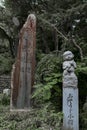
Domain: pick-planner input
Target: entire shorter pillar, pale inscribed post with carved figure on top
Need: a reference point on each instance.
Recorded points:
(70, 93)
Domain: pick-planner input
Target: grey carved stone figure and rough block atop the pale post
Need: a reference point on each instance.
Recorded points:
(69, 65)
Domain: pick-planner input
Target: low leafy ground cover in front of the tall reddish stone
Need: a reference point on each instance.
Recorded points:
(35, 119)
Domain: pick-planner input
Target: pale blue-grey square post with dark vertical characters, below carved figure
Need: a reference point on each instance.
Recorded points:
(70, 109)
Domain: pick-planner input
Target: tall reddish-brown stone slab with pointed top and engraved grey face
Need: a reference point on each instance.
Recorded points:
(22, 78)
